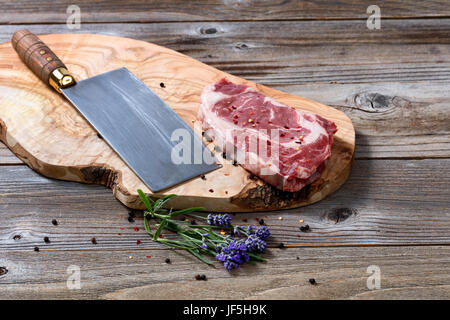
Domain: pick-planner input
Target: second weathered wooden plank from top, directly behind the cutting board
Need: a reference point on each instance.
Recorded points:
(287, 52)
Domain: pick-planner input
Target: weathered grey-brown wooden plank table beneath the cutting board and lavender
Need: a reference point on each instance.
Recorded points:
(393, 213)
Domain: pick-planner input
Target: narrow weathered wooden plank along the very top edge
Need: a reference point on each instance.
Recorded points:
(46, 11)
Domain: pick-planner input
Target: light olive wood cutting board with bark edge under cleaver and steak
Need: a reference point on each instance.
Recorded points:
(49, 135)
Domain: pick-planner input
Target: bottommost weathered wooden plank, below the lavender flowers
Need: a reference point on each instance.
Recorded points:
(341, 273)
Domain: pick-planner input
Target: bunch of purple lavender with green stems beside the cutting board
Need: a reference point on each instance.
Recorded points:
(203, 240)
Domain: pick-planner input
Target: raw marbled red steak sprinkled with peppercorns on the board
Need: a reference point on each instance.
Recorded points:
(284, 146)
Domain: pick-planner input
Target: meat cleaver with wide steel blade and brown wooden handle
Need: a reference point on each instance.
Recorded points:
(142, 129)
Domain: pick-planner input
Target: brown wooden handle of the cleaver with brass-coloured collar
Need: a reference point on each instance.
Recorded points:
(41, 60)
